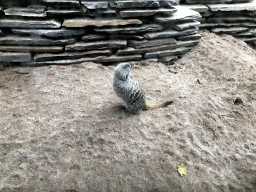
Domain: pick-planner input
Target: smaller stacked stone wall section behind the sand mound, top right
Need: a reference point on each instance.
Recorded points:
(237, 19)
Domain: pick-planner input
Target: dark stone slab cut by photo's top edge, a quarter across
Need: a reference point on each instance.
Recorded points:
(62, 3)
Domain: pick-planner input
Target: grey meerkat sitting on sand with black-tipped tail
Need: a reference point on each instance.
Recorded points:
(130, 91)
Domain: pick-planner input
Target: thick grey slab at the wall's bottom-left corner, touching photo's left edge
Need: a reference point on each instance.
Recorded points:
(15, 57)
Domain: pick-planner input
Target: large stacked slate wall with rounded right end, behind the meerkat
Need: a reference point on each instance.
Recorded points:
(45, 32)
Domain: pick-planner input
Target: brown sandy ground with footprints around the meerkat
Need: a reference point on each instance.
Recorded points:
(63, 129)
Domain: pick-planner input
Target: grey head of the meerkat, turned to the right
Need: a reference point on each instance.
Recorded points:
(123, 71)
